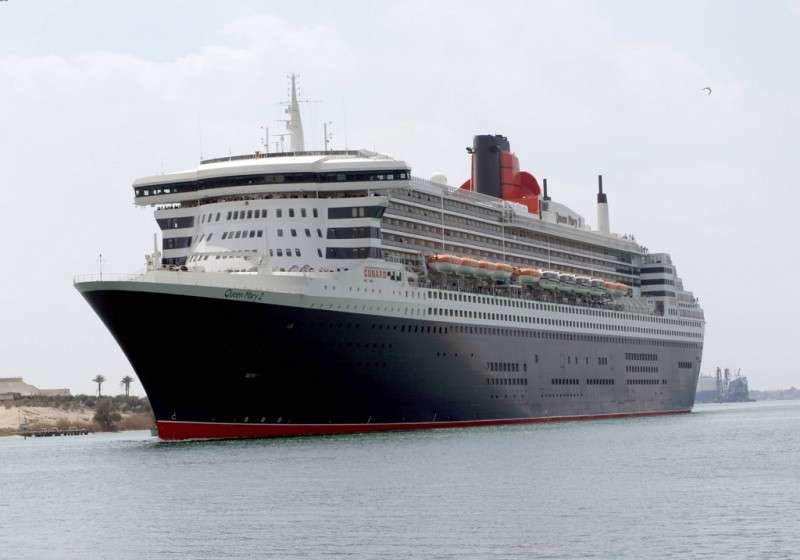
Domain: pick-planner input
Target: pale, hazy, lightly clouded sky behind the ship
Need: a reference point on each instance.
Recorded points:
(94, 94)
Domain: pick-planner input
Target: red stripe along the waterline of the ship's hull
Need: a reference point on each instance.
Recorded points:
(174, 430)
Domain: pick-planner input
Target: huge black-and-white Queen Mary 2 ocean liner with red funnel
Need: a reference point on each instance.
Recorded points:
(325, 292)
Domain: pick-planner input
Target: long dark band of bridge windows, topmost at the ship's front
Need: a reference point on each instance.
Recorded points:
(269, 179)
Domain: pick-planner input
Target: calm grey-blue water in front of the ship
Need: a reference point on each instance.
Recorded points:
(721, 482)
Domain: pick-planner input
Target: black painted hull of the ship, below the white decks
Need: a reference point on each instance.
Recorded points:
(209, 361)
